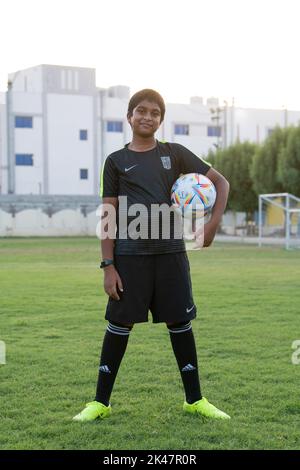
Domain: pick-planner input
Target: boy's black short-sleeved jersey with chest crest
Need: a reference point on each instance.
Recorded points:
(147, 178)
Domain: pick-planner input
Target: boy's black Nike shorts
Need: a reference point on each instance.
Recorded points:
(159, 283)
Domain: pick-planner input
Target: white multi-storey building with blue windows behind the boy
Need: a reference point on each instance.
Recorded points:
(57, 127)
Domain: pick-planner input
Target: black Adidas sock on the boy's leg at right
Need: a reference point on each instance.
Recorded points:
(183, 343)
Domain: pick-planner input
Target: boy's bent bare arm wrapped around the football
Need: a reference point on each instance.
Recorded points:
(222, 188)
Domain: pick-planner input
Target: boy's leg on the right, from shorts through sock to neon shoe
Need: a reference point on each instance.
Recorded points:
(173, 304)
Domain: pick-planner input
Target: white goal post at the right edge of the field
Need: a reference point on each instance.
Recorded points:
(279, 219)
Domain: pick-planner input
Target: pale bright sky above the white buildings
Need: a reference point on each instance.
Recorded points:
(242, 49)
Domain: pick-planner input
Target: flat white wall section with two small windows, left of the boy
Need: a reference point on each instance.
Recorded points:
(67, 114)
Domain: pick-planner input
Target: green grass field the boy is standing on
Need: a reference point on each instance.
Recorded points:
(52, 321)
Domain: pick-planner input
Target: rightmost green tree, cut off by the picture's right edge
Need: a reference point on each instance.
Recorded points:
(289, 163)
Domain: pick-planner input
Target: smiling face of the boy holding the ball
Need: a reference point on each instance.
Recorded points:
(145, 119)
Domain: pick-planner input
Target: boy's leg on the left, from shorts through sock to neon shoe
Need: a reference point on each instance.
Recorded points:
(137, 274)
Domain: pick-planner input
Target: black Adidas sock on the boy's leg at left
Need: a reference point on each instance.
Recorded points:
(113, 349)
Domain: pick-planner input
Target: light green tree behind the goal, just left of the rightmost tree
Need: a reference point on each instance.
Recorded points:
(264, 171)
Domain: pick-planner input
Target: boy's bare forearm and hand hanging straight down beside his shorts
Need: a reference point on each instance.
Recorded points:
(112, 280)
